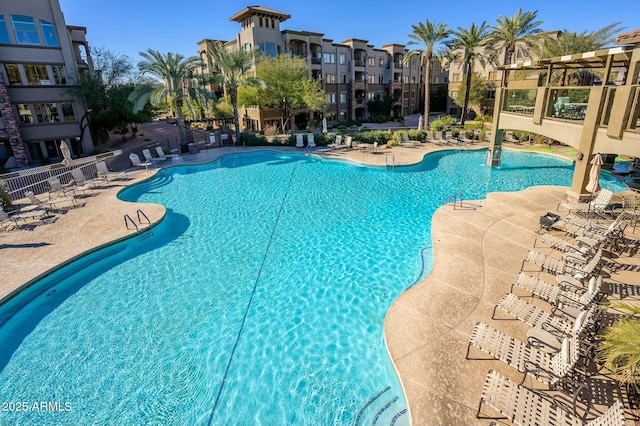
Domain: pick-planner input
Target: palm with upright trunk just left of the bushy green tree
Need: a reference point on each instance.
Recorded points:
(232, 67)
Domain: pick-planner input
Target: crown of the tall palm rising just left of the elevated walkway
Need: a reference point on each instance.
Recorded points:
(521, 27)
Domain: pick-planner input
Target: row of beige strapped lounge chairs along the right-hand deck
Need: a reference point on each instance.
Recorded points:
(561, 340)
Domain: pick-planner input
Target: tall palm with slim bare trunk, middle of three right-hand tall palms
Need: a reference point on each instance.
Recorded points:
(470, 46)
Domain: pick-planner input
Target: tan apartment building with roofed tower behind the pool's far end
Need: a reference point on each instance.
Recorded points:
(351, 72)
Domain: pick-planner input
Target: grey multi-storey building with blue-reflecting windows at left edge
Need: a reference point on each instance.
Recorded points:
(40, 57)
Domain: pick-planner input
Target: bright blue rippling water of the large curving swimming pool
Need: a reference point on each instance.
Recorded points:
(260, 299)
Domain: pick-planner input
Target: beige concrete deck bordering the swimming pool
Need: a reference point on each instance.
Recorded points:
(478, 249)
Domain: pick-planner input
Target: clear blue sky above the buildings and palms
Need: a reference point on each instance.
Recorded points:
(132, 26)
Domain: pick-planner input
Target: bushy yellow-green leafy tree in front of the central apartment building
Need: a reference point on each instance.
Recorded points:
(287, 86)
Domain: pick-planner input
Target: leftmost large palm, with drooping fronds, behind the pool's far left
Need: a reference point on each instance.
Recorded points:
(172, 69)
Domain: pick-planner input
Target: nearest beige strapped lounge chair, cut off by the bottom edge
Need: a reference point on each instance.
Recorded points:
(525, 407)
